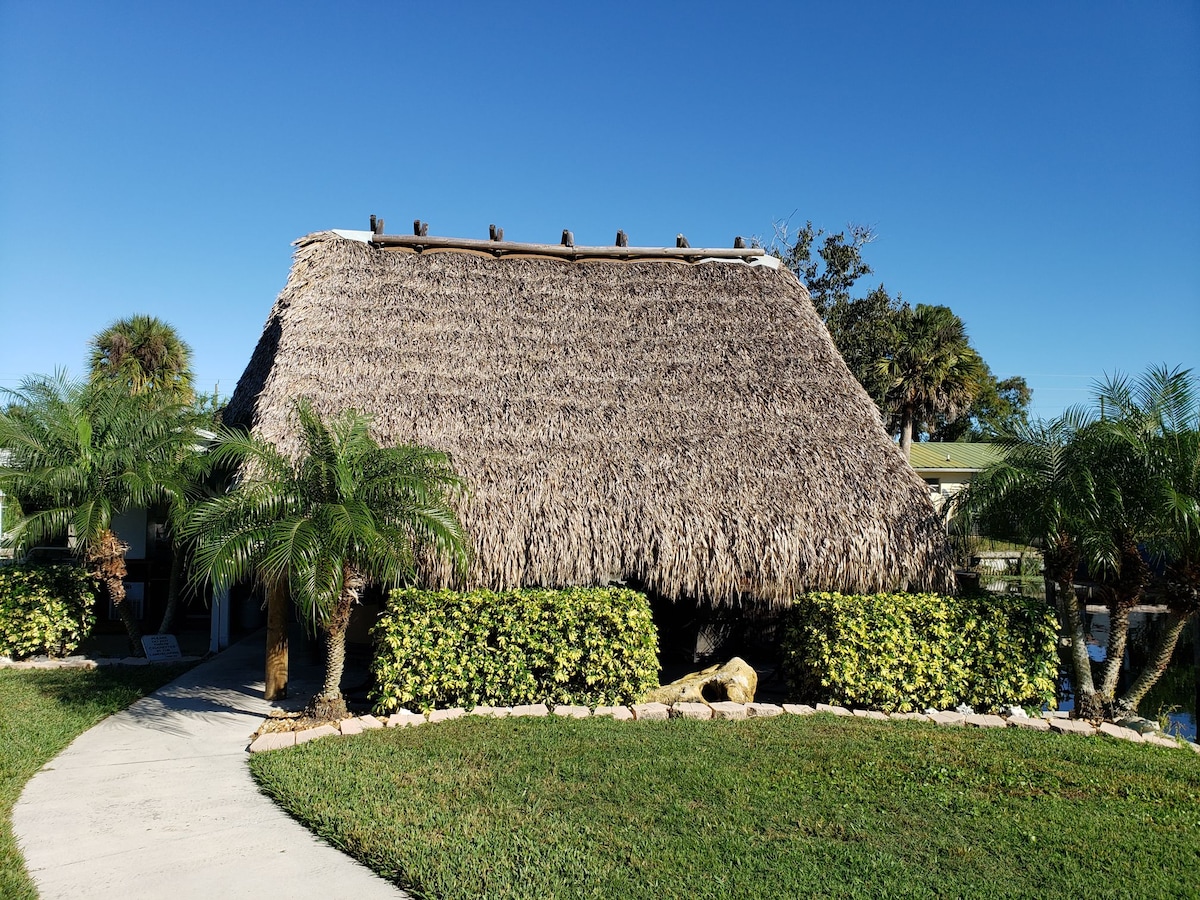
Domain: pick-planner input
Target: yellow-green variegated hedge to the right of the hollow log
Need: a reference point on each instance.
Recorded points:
(908, 652)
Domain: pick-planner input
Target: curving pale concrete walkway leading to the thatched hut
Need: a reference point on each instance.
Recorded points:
(158, 802)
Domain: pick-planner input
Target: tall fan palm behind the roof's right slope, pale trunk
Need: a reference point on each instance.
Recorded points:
(933, 370)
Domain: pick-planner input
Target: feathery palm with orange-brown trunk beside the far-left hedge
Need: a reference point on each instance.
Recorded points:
(79, 457)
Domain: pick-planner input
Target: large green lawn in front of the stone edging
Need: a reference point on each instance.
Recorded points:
(787, 807)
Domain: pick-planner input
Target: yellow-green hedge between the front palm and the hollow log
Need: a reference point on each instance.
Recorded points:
(580, 646)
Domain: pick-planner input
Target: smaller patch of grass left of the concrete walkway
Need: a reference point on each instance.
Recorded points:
(41, 712)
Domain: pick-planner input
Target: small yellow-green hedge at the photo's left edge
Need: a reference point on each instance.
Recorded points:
(45, 609)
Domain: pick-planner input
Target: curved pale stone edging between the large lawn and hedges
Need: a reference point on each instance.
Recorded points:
(662, 712)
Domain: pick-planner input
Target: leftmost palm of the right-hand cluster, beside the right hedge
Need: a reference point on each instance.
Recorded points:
(1043, 493)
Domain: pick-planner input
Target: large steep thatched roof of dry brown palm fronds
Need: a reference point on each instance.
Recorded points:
(688, 427)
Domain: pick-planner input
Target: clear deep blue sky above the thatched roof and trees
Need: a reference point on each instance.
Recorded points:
(1036, 167)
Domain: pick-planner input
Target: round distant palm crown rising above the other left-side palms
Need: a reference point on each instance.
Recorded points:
(143, 353)
